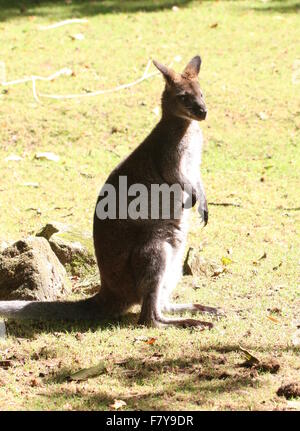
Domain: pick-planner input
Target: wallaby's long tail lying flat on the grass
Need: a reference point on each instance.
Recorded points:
(87, 309)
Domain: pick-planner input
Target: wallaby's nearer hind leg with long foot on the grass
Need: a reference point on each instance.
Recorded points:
(153, 266)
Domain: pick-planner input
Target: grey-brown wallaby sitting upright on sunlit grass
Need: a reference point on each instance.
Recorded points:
(140, 260)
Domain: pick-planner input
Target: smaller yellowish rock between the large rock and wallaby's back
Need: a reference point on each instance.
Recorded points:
(74, 249)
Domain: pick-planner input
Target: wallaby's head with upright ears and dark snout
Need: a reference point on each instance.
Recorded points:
(182, 96)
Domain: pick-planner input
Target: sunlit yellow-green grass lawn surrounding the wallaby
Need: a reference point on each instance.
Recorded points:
(247, 70)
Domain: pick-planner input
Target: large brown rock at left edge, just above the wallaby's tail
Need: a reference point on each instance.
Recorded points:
(30, 270)
